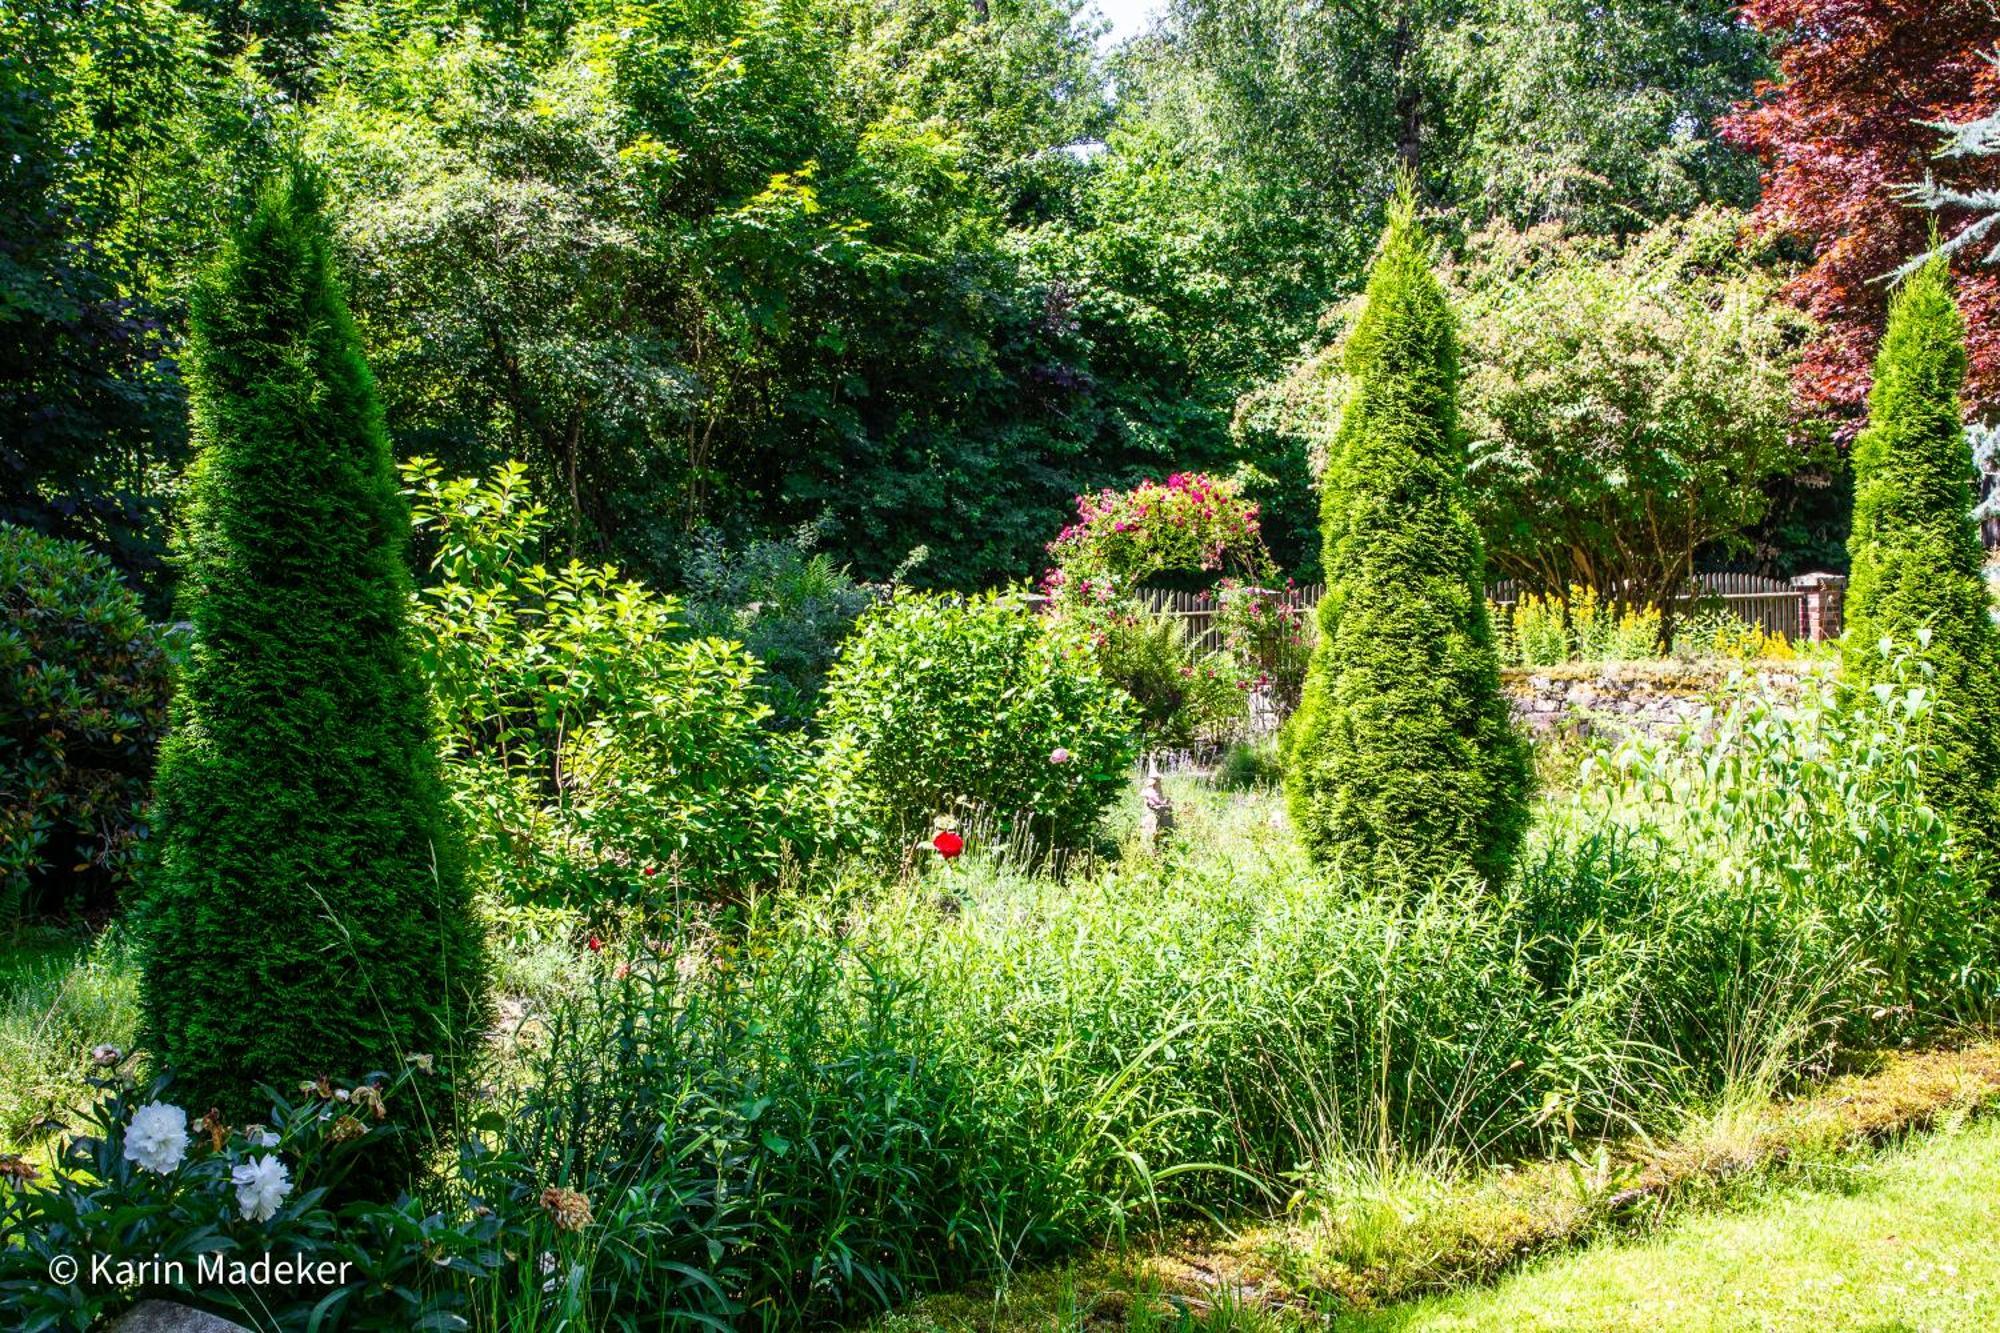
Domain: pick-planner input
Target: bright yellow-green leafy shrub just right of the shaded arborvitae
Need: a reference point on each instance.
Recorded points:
(595, 750)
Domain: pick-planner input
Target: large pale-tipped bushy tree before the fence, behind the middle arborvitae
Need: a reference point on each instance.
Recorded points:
(1627, 403)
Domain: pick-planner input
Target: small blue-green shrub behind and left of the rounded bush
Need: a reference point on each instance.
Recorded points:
(789, 605)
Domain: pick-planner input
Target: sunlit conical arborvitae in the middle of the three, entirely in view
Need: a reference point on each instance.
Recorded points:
(1403, 762)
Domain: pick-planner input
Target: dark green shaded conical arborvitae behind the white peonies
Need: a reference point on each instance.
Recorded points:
(309, 914)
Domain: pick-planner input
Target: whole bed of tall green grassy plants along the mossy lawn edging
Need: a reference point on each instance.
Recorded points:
(865, 1090)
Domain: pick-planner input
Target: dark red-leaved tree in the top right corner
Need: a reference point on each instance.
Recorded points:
(1841, 131)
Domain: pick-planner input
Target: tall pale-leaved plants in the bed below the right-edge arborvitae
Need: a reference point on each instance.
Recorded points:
(1771, 882)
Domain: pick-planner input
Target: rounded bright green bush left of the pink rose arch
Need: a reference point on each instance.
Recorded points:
(941, 700)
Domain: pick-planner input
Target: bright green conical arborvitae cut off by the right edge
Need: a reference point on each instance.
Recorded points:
(1917, 547)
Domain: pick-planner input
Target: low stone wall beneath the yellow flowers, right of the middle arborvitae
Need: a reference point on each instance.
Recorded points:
(1625, 698)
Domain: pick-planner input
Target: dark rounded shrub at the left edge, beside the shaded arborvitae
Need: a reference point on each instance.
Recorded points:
(83, 706)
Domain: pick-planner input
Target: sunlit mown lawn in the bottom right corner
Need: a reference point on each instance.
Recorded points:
(1913, 1246)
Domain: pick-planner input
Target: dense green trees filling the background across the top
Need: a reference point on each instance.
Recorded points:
(911, 273)
